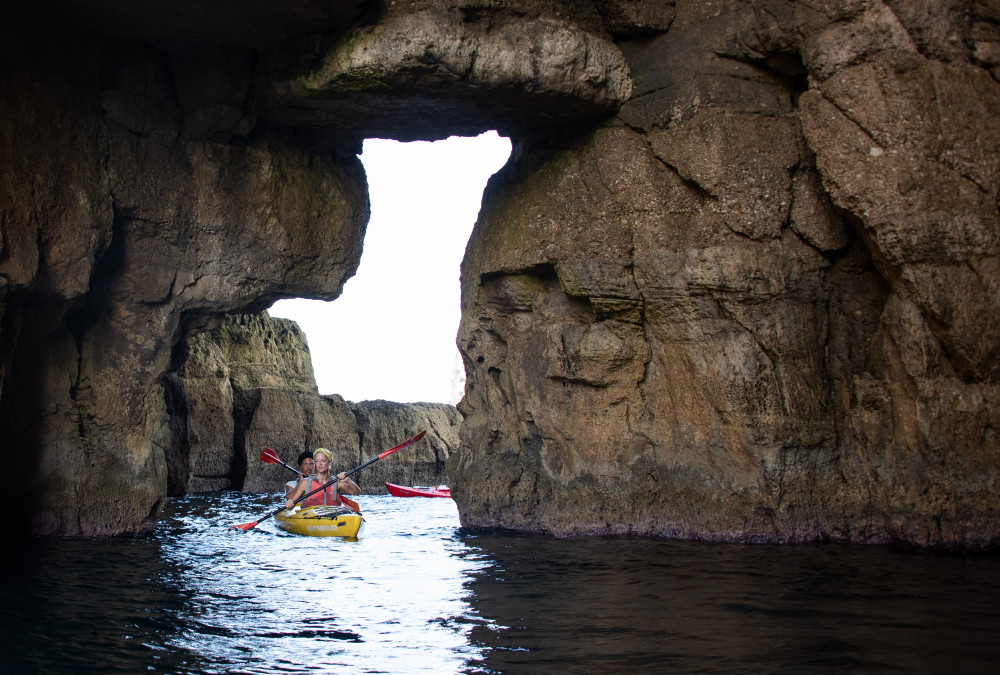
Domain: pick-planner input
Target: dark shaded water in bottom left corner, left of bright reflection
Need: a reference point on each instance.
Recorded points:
(82, 606)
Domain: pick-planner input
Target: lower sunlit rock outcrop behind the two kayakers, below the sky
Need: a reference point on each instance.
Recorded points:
(249, 385)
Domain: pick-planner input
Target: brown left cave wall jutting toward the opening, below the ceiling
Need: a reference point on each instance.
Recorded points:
(135, 241)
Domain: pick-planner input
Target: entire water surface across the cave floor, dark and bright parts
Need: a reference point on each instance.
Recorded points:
(416, 594)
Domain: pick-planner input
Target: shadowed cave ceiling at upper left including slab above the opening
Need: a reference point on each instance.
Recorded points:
(334, 73)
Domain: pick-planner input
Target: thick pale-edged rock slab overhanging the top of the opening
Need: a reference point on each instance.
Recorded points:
(455, 67)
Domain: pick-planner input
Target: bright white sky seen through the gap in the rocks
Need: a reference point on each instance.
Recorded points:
(391, 334)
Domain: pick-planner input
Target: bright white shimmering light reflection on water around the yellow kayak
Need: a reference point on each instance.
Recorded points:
(390, 602)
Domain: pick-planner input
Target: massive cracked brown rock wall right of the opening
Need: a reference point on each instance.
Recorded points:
(759, 306)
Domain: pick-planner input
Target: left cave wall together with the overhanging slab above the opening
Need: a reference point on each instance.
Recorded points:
(165, 166)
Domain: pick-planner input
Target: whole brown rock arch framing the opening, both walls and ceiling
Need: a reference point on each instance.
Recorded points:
(738, 281)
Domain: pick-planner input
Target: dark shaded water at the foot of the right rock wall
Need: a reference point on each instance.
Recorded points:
(614, 605)
